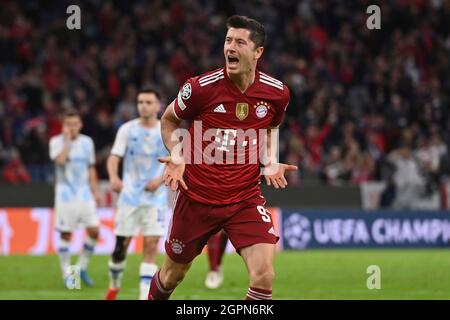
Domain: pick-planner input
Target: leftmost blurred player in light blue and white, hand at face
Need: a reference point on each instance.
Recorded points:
(76, 191)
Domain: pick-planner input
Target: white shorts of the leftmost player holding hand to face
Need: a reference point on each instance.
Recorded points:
(69, 216)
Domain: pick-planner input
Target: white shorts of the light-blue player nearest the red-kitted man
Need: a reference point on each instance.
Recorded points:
(148, 220)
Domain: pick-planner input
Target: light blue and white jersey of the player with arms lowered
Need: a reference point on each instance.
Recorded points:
(140, 149)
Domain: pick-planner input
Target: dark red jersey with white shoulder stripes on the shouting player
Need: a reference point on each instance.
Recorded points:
(225, 112)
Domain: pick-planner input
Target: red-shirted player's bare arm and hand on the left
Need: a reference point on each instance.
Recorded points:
(173, 175)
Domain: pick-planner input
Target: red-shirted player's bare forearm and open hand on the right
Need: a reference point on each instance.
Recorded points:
(275, 171)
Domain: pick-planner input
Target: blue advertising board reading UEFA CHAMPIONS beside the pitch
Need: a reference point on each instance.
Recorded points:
(302, 229)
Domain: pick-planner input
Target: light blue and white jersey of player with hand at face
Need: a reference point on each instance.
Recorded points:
(72, 178)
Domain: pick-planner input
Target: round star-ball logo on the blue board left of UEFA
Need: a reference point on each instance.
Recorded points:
(297, 231)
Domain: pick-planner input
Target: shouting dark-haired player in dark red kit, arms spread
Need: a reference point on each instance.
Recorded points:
(214, 195)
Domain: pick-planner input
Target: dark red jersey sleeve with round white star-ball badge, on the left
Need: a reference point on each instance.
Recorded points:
(189, 102)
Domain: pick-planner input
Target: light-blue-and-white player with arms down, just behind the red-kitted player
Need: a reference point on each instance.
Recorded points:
(143, 197)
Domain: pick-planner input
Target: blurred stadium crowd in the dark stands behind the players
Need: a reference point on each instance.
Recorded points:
(366, 104)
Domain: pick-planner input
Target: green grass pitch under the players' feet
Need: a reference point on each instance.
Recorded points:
(312, 274)
